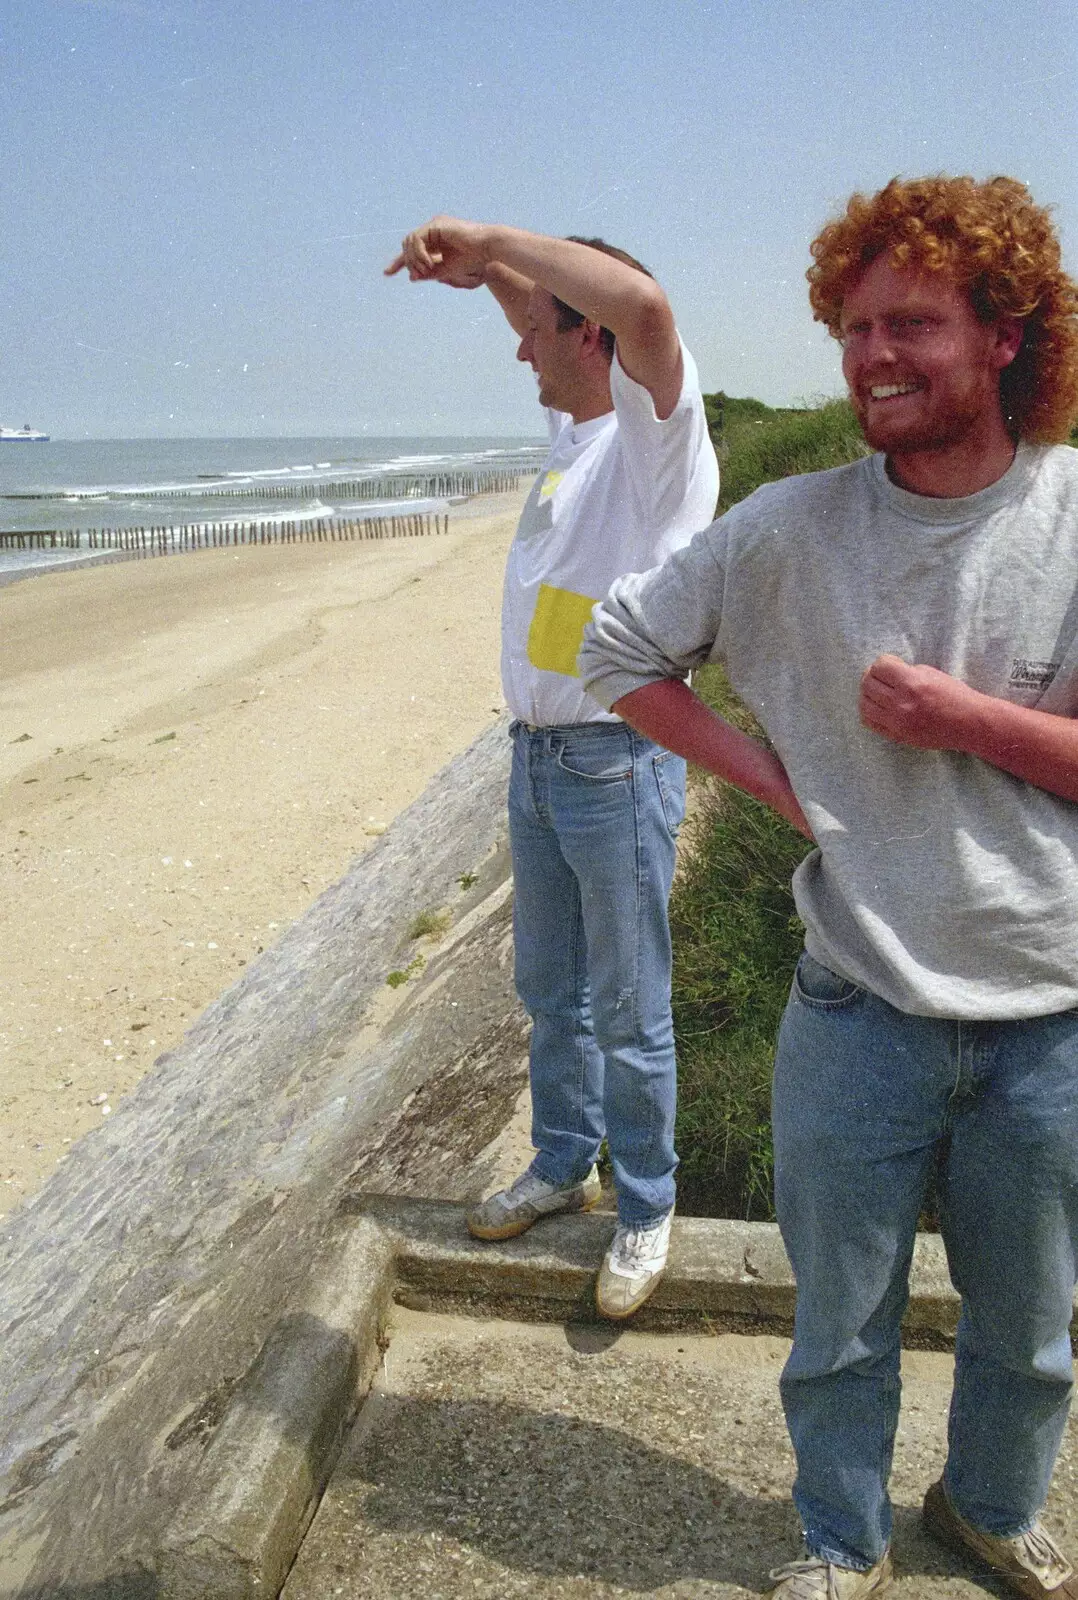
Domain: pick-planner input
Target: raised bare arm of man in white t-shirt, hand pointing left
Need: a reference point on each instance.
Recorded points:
(602, 289)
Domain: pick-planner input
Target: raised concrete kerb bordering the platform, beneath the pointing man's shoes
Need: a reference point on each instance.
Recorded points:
(260, 1478)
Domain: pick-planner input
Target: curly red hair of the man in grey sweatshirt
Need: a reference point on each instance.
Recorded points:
(992, 242)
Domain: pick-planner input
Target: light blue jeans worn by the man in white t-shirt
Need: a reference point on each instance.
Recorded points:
(593, 818)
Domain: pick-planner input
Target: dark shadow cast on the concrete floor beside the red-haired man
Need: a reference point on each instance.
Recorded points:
(554, 1497)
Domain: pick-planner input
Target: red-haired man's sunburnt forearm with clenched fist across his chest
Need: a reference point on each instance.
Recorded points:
(930, 710)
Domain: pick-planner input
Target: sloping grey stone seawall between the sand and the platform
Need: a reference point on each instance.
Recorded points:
(140, 1286)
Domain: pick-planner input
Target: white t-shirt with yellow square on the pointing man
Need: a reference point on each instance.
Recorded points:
(618, 495)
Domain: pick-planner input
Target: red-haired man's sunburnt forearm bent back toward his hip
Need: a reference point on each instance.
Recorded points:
(671, 714)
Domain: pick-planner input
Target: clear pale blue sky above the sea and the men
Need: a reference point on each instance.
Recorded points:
(198, 198)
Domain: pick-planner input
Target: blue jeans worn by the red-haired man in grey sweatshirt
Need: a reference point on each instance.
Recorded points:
(868, 1100)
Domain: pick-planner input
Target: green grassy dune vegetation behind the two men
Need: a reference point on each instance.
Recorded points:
(737, 932)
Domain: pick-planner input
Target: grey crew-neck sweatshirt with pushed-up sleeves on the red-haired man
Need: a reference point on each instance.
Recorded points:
(943, 884)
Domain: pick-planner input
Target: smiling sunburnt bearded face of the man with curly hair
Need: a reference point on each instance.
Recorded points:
(924, 372)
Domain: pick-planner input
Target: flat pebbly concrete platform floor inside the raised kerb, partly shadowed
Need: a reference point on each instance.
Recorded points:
(497, 1460)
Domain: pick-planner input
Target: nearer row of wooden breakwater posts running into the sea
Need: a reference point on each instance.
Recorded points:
(218, 535)
